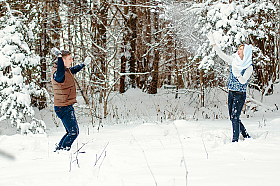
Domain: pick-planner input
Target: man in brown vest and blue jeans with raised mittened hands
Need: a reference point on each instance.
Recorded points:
(64, 89)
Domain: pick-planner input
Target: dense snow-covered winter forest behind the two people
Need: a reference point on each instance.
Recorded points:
(134, 44)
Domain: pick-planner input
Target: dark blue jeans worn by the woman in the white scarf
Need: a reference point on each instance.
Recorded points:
(236, 101)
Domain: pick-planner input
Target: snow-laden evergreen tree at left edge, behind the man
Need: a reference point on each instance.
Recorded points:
(19, 71)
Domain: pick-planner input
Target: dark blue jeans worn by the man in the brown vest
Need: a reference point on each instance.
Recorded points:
(67, 116)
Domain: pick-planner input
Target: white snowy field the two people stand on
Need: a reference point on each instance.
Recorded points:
(149, 154)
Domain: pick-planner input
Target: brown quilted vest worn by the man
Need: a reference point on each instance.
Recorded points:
(64, 93)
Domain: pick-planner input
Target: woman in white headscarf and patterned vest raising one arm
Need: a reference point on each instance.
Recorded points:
(241, 70)
